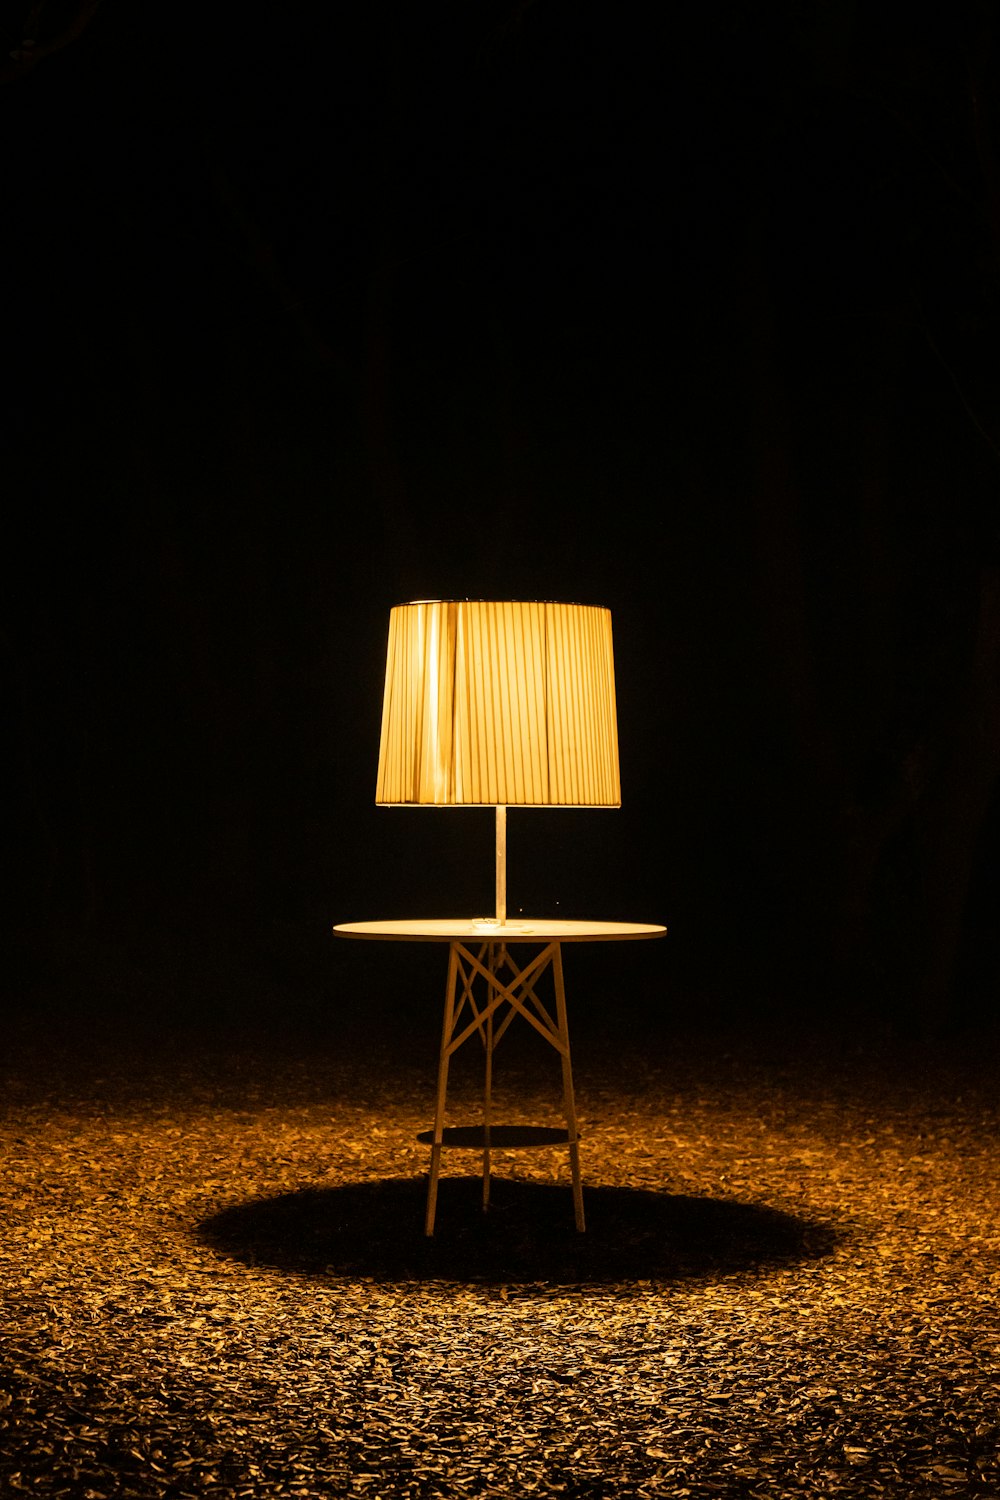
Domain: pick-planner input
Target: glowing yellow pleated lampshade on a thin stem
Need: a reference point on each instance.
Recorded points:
(500, 704)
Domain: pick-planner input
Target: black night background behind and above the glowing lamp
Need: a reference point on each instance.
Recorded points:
(684, 310)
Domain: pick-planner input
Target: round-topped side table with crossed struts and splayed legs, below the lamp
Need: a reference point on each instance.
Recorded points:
(487, 979)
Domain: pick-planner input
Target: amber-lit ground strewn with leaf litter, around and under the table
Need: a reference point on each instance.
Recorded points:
(215, 1280)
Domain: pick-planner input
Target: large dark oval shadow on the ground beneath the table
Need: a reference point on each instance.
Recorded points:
(376, 1229)
